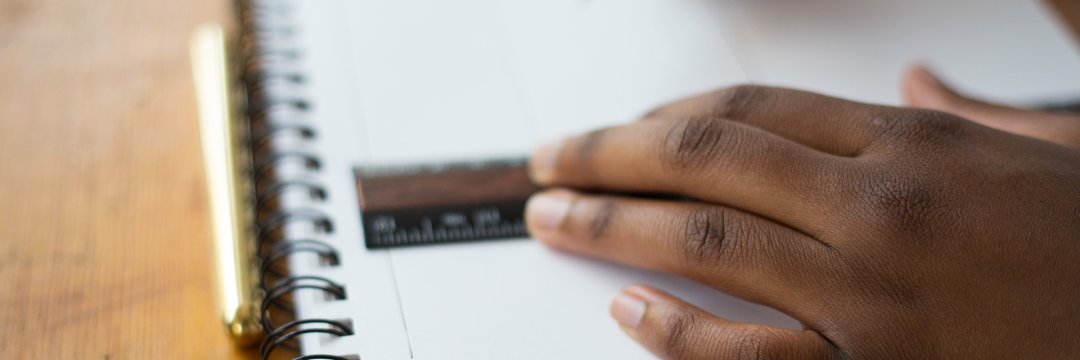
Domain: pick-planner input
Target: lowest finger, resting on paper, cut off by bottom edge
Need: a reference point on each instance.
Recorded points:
(673, 329)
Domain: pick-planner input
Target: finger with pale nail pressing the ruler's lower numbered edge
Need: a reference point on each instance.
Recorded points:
(744, 255)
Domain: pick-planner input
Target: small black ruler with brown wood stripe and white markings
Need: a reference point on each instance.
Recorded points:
(448, 203)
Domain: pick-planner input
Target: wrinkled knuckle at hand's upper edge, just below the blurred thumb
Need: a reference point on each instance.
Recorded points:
(925, 129)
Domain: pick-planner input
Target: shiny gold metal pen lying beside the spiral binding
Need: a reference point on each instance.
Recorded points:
(225, 161)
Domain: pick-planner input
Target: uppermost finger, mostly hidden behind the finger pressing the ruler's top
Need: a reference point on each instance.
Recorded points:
(826, 124)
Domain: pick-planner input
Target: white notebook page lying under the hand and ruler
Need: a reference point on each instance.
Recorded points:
(409, 81)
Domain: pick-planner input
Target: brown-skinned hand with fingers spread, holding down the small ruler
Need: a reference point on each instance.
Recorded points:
(888, 233)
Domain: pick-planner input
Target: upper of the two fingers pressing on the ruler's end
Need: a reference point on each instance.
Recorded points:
(715, 161)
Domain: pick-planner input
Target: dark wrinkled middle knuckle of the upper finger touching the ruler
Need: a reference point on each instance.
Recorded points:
(694, 143)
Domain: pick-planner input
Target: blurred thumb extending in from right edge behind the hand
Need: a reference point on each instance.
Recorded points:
(923, 89)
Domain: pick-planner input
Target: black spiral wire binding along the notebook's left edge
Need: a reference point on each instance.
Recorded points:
(266, 63)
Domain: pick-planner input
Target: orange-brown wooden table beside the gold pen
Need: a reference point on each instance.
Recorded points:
(104, 250)
